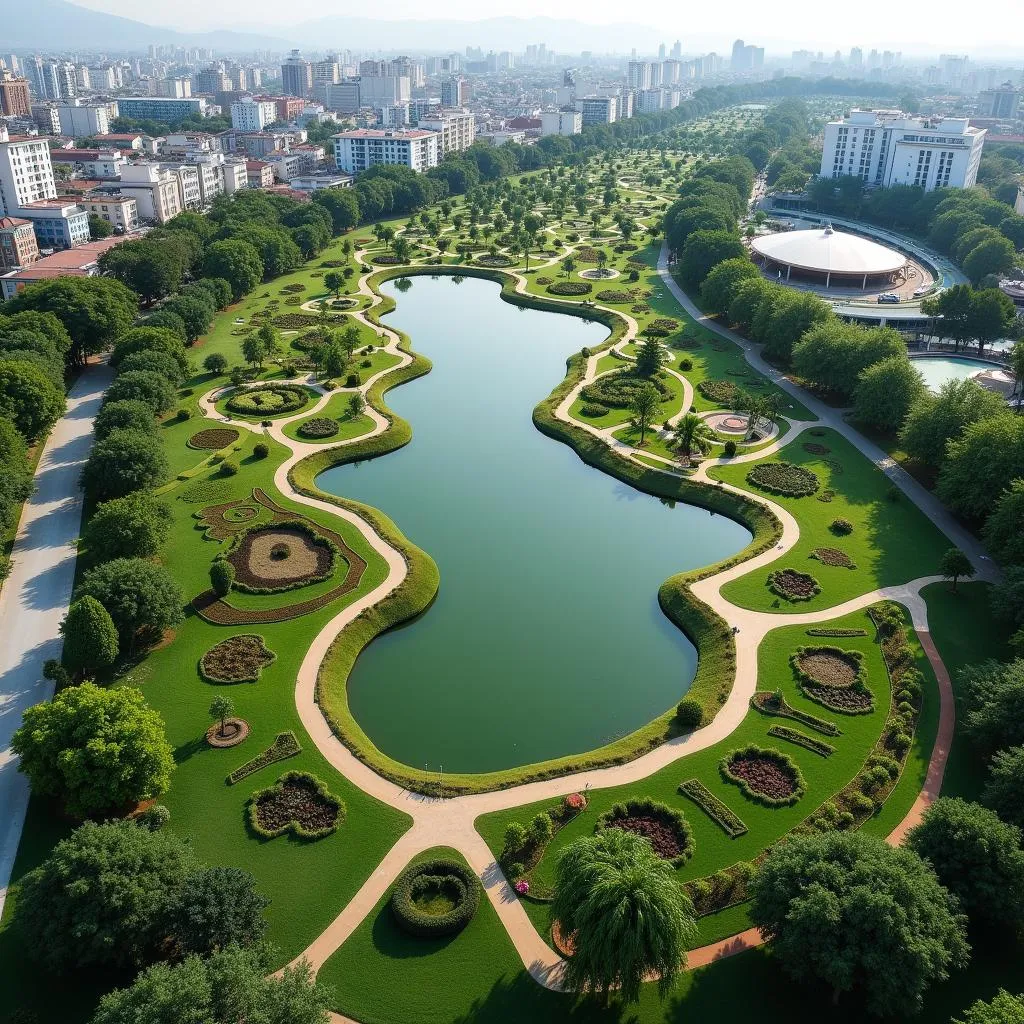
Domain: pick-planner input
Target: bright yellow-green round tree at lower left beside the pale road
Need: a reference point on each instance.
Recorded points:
(96, 750)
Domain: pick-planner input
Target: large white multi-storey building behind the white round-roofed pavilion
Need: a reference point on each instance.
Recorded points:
(887, 148)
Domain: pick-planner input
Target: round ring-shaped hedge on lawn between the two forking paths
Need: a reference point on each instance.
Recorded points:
(436, 899)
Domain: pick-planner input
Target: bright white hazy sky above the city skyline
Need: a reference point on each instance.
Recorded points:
(940, 26)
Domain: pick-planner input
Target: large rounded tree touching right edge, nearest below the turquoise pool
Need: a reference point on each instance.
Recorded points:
(980, 462)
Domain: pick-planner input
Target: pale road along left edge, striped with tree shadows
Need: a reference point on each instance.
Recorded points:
(35, 599)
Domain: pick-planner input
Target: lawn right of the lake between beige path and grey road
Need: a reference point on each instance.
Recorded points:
(879, 544)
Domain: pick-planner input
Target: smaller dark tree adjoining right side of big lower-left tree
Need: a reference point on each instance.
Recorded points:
(217, 908)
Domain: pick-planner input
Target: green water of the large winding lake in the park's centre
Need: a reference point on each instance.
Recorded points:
(546, 637)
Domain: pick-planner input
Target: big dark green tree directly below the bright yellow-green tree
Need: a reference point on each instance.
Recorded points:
(101, 898)
